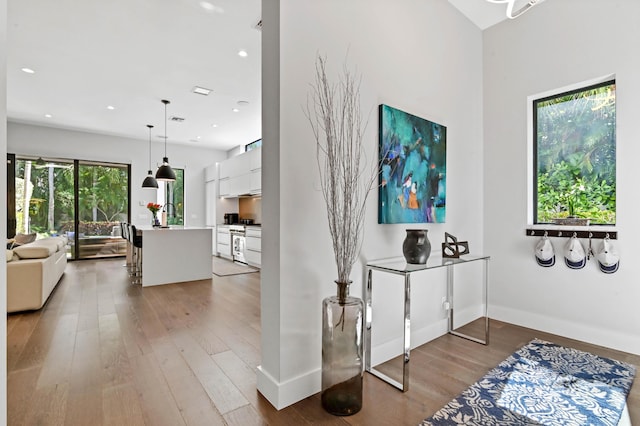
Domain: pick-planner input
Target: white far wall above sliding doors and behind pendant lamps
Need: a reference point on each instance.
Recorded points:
(39, 141)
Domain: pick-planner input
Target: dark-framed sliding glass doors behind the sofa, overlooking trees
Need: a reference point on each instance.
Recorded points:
(83, 200)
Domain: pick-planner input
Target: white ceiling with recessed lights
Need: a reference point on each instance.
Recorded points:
(130, 54)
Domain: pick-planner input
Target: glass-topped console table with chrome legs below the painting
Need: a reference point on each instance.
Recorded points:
(399, 266)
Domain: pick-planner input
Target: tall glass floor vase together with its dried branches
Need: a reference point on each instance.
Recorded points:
(338, 128)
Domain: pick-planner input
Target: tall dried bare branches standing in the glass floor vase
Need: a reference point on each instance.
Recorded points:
(334, 114)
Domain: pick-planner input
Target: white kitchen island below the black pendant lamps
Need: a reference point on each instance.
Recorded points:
(175, 254)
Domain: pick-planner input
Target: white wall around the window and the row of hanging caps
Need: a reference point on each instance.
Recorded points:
(556, 44)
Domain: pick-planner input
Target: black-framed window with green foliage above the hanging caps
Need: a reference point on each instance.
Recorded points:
(574, 135)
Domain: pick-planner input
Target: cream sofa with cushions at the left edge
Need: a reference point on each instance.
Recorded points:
(33, 271)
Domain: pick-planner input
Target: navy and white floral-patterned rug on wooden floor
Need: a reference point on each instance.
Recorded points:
(543, 384)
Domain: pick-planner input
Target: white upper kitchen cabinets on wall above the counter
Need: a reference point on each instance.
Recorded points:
(242, 174)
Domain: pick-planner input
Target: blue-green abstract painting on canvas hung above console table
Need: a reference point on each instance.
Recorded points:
(413, 171)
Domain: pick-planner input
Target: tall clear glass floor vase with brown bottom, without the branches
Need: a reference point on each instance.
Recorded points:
(342, 352)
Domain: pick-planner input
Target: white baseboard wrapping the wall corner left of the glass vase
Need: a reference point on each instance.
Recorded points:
(284, 394)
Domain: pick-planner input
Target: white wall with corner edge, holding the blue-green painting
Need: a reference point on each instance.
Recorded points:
(421, 57)
